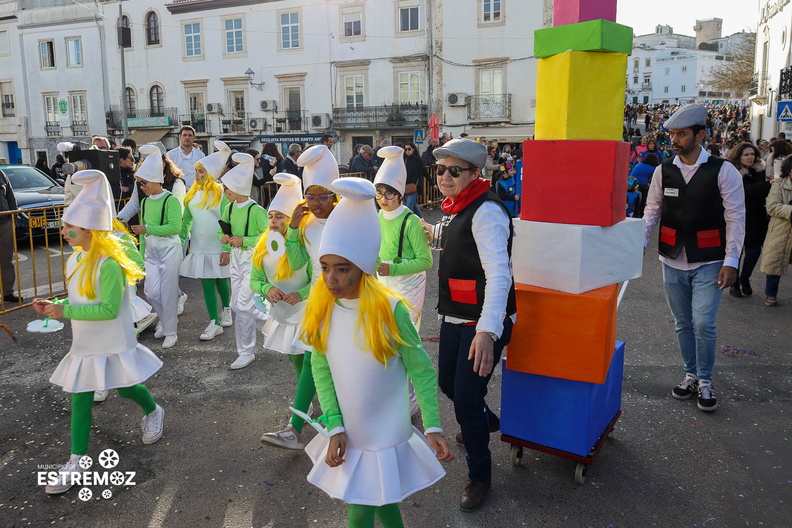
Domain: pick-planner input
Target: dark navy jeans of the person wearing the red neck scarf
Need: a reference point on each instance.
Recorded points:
(467, 390)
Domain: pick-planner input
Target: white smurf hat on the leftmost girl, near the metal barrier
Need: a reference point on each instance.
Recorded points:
(93, 207)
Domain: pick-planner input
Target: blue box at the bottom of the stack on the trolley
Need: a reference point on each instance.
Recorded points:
(562, 414)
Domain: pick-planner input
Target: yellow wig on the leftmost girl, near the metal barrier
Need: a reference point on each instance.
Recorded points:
(103, 244)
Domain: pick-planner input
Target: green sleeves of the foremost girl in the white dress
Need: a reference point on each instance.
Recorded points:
(417, 363)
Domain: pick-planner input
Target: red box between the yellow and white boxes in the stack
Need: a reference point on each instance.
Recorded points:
(575, 182)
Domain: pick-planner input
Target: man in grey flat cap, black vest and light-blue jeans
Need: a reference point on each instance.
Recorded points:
(699, 202)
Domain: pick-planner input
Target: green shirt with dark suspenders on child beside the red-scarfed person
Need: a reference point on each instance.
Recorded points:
(416, 253)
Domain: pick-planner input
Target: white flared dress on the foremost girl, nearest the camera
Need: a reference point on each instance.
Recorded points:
(387, 459)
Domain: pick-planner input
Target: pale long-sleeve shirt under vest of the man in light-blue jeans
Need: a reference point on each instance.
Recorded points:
(733, 195)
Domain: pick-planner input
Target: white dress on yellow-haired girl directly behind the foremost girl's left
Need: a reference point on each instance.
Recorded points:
(281, 329)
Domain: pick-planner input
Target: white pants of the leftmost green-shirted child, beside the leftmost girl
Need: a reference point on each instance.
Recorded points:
(163, 258)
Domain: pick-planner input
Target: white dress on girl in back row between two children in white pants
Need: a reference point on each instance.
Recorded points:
(203, 260)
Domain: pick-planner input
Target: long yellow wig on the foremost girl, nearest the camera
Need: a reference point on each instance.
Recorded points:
(381, 335)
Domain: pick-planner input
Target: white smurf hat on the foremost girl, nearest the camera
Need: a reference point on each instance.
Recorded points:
(353, 230)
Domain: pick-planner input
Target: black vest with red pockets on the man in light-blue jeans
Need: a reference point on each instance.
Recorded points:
(692, 214)
